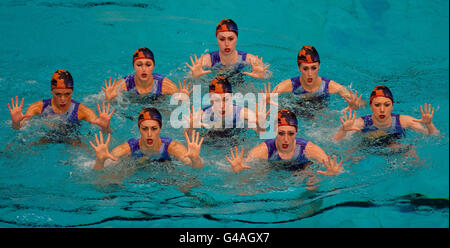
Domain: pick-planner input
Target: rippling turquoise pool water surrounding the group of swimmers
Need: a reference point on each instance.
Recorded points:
(402, 44)
